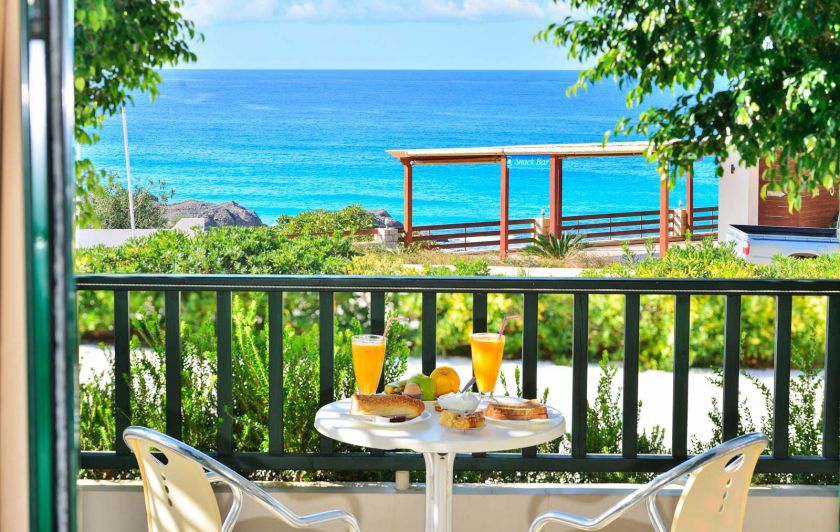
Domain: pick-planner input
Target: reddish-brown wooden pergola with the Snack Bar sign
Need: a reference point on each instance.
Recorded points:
(556, 153)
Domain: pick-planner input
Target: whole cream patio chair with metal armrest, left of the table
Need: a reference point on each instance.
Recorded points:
(179, 495)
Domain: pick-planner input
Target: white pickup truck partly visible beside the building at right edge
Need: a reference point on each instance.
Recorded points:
(760, 243)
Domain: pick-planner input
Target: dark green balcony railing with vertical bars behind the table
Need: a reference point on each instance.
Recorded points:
(779, 461)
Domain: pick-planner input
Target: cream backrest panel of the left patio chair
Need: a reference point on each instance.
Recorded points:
(179, 497)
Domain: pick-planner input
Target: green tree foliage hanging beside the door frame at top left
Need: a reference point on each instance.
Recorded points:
(119, 47)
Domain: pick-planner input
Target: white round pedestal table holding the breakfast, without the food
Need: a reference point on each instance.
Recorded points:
(438, 444)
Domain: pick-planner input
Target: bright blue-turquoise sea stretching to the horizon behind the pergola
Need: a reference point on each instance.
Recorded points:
(285, 141)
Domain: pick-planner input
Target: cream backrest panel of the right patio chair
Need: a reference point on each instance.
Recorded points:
(715, 496)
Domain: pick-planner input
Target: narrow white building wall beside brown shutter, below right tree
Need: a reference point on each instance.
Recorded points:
(737, 195)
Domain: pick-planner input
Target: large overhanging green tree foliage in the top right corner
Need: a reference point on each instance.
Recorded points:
(758, 77)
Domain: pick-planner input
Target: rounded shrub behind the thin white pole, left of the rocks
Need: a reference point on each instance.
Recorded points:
(110, 206)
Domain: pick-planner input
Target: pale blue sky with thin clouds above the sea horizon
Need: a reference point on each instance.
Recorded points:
(376, 34)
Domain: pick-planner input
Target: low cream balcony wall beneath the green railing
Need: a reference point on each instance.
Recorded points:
(477, 508)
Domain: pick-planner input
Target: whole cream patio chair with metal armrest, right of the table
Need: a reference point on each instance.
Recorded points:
(714, 497)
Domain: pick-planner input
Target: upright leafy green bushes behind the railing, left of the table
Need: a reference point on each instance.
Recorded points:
(250, 377)
